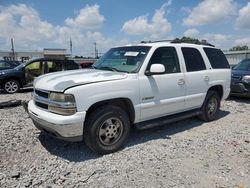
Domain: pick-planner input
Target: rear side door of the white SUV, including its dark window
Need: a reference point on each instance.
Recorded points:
(196, 77)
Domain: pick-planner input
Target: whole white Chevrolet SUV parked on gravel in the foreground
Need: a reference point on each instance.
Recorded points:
(142, 85)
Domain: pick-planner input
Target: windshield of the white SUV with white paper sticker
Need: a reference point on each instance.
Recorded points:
(123, 59)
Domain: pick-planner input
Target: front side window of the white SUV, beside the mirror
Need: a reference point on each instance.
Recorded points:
(166, 56)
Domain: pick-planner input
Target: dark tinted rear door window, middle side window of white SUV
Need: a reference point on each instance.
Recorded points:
(193, 59)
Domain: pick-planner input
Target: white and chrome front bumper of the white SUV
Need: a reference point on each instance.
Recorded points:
(68, 128)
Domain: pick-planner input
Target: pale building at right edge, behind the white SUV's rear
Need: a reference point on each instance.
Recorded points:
(234, 57)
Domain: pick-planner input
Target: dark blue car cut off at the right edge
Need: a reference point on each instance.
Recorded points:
(240, 85)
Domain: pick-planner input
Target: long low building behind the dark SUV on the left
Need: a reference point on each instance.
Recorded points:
(25, 56)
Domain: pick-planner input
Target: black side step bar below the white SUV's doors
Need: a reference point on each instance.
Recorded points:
(167, 119)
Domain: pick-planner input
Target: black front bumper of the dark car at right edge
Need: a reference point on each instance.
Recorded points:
(240, 89)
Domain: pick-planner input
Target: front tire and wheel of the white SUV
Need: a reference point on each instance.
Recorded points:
(106, 129)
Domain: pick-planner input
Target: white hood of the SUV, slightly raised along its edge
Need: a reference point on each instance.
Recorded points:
(60, 81)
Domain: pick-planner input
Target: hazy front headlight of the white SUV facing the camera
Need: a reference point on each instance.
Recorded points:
(61, 103)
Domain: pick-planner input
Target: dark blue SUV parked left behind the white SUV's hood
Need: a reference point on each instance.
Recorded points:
(11, 80)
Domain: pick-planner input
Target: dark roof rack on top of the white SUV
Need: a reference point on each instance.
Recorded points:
(177, 40)
